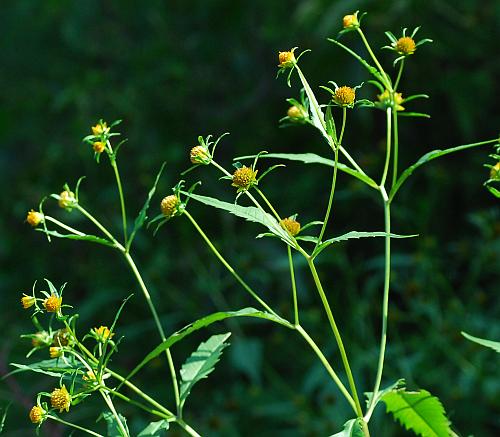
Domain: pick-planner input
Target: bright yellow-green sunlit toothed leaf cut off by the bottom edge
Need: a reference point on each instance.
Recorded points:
(418, 411)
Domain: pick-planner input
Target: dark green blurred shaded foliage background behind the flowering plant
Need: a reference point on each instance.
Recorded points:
(175, 70)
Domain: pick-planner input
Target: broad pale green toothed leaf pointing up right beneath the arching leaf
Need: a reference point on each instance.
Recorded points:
(201, 363)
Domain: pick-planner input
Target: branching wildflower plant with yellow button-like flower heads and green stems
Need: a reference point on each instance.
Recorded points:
(82, 366)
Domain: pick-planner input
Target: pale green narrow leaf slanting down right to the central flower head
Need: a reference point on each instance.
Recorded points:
(249, 213)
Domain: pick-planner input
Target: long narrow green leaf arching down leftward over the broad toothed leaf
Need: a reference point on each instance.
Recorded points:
(201, 323)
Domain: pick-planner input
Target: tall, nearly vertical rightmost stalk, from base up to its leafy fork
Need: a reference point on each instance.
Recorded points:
(385, 302)
